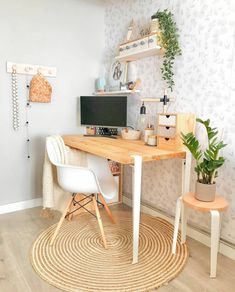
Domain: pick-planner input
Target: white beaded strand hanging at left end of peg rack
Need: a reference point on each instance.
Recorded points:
(15, 102)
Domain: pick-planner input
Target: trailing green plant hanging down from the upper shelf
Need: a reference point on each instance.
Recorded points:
(169, 41)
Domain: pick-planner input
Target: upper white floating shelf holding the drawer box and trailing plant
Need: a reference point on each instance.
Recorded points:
(140, 54)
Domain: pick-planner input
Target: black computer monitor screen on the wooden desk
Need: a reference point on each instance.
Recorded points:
(103, 110)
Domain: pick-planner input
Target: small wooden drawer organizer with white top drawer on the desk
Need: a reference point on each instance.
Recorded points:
(169, 128)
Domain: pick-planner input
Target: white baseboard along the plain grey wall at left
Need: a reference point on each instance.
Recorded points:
(9, 208)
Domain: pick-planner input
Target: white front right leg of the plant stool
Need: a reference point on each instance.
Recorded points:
(215, 235)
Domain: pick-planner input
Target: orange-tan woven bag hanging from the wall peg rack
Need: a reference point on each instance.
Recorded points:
(40, 89)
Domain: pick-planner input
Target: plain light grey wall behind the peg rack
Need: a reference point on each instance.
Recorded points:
(68, 34)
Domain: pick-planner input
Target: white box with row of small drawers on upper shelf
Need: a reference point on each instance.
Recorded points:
(137, 45)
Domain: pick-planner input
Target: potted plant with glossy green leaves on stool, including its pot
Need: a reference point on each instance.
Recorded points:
(207, 162)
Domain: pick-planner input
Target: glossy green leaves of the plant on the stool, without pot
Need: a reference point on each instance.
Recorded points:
(209, 161)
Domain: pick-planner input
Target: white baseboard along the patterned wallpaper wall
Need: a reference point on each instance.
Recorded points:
(199, 235)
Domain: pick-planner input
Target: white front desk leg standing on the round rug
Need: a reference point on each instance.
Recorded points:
(136, 196)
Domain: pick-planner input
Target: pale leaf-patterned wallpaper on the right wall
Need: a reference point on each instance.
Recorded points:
(205, 85)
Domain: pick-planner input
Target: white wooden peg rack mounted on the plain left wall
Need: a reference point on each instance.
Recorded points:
(28, 69)
